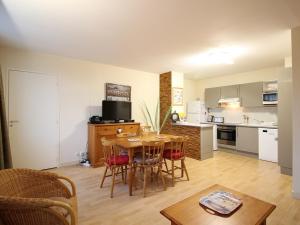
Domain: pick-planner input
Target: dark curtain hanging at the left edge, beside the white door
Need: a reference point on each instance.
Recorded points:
(5, 154)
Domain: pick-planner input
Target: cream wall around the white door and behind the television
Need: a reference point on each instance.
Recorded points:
(81, 87)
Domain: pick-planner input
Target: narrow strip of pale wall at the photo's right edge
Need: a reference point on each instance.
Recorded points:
(296, 110)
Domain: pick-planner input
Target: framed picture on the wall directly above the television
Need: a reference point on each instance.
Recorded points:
(116, 92)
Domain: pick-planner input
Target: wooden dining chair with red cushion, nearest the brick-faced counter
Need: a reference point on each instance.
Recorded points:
(176, 152)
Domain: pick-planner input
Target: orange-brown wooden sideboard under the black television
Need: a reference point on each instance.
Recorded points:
(97, 131)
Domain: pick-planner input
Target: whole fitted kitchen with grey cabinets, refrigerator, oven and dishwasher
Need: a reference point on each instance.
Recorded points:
(250, 118)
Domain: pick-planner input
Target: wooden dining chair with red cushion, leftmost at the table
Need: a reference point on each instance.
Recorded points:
(114, 161)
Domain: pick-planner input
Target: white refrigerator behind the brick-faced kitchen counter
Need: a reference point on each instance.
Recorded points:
(196, 112)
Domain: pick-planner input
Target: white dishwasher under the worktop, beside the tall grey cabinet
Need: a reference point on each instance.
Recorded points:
(268, 144)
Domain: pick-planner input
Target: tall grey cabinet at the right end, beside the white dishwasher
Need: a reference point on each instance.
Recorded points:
(285, 125)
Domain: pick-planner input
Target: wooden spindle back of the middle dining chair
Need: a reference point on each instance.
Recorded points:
(152, 152)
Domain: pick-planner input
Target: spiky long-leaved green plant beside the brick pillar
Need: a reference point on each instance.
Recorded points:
(155, 123)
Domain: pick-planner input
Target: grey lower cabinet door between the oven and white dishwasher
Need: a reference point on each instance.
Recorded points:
(247, 139)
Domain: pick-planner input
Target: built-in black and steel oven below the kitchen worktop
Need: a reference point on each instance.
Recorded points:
(226, 136)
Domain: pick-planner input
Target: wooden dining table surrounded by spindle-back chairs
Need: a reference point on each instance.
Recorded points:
(135, 143)
